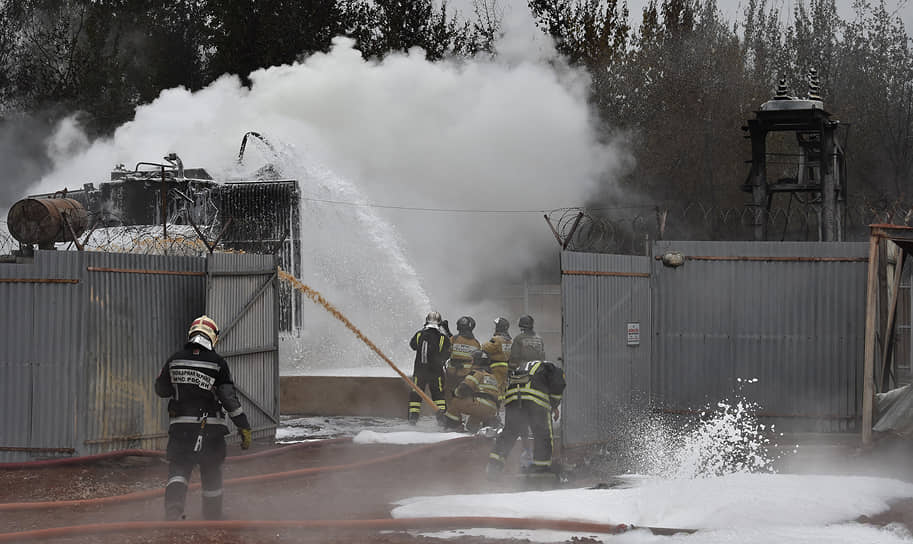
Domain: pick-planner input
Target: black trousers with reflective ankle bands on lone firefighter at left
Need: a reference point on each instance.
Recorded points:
(181, 460)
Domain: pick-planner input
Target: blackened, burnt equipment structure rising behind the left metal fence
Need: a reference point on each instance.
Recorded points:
(251, 216)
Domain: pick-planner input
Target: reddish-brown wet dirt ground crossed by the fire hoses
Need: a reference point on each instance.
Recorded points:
(382, 475)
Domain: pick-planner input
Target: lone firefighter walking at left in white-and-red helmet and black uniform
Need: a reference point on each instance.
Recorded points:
(199, 385)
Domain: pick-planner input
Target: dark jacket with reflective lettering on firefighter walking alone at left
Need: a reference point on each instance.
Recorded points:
(198, 382)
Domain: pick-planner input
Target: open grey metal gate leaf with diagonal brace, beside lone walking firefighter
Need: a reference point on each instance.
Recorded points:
(242, 297)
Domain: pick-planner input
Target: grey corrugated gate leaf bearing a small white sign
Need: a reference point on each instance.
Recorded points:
(606, 315)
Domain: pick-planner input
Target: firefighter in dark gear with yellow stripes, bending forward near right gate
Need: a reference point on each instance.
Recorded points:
(532, 399)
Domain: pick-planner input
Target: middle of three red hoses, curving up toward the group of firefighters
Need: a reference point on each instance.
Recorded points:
(151, 493)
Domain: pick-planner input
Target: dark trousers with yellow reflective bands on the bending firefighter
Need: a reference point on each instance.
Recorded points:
(520, 417)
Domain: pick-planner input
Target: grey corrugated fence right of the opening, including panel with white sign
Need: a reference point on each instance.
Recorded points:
(789, 314)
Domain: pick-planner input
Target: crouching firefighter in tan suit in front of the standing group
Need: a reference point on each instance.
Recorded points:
(477, 396)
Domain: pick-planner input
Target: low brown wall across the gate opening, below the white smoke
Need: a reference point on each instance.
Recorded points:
(344, 396)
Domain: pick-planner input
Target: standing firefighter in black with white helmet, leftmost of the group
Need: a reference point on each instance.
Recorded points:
(432, 349)
